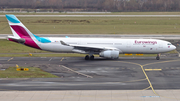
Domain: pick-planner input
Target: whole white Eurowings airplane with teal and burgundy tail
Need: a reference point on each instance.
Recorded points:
(104, 47)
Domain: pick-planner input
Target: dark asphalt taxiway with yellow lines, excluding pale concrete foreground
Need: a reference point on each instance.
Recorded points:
(127, 73)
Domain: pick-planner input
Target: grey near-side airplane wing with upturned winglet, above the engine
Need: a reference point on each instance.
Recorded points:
(88, 49)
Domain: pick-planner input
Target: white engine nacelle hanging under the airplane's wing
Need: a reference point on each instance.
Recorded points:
(112, 54)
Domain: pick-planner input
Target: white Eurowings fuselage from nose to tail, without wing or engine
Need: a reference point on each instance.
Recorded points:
(147, 46)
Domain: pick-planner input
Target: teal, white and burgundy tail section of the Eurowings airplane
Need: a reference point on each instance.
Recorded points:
(21, 33)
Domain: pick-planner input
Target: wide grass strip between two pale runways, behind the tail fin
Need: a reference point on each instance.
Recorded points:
(97, 25)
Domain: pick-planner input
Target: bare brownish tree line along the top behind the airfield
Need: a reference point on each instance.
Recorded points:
(95, 5)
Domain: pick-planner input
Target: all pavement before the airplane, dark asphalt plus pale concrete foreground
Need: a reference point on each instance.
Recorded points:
(125, 79)
